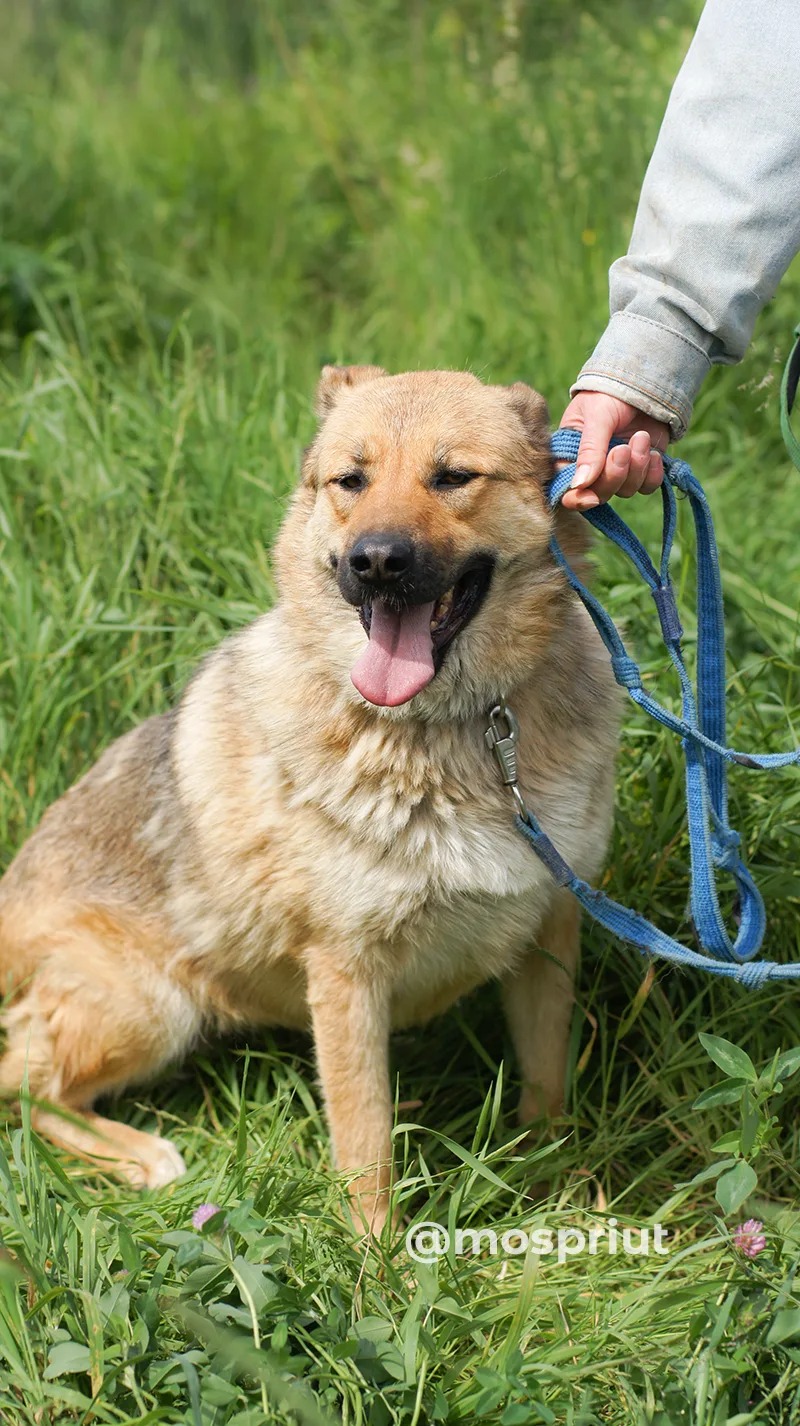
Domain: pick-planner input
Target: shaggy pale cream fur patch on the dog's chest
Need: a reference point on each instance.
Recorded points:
(429, 872)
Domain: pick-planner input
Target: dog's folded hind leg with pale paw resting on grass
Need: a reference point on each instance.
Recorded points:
(98, 1015)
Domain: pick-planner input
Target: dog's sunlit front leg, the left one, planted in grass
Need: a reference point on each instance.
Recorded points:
(352, 1033)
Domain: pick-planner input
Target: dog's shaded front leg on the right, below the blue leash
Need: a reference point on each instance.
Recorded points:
(538, 1003)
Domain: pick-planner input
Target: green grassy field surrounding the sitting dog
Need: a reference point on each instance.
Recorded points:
(200, 205)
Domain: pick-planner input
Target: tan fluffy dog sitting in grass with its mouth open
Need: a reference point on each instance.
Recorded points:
(317, 836)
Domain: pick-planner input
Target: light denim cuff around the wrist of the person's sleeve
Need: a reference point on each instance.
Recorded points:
(650, 366)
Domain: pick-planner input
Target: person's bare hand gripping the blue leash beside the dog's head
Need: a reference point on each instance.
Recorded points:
(630, 470)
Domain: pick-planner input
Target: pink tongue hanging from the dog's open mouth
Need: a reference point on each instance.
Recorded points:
(399, 661)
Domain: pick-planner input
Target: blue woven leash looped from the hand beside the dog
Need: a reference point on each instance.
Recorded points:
(701, 728)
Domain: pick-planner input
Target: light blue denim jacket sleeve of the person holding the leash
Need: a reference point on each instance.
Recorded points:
(719, 215)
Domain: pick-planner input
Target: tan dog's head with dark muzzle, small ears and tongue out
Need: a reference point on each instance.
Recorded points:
(416, 555)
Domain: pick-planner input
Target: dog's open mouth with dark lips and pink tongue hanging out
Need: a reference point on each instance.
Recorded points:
(409, 642)
